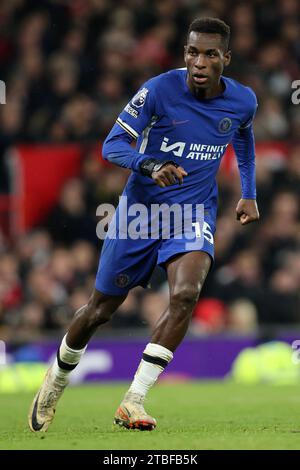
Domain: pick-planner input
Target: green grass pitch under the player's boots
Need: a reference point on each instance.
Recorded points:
(190, 416)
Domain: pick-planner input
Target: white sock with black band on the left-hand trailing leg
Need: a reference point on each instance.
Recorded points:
(68, 357)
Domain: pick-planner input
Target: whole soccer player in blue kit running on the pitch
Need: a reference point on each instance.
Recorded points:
(183, 121)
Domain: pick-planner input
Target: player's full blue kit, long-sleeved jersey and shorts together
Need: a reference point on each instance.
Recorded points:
(169, 123)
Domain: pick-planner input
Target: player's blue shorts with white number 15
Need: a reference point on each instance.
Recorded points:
(125, 264)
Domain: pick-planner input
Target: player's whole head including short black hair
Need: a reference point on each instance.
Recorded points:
(206, 53)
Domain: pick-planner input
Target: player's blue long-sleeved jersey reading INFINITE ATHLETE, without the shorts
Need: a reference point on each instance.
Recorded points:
(170, 123)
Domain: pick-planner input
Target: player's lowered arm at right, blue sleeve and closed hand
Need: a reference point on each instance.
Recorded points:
(244, 146)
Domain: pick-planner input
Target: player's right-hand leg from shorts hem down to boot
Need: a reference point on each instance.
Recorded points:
(186, 275)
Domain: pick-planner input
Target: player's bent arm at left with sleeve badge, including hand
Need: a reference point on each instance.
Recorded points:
(133, 120)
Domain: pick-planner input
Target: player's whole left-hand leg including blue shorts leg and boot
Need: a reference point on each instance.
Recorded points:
(123, 265)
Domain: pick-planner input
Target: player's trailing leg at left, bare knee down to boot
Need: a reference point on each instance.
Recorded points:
(86, 320)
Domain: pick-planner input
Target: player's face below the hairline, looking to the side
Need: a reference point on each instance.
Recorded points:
(205, 59)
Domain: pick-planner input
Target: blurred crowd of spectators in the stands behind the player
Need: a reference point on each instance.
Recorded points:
(70, 67)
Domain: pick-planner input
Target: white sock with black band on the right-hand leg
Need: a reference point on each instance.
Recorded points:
(155, 359)
